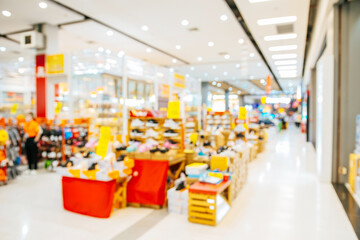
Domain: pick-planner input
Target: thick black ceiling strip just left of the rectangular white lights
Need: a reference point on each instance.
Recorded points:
(239, 17)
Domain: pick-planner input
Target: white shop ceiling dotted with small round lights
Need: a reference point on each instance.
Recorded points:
(243, 67)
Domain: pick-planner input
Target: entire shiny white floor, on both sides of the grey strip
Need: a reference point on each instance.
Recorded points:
(282, 200)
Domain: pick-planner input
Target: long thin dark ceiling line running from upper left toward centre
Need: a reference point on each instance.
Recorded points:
(118, 31)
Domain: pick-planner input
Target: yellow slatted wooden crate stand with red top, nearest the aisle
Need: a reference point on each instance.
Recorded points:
(209, 203)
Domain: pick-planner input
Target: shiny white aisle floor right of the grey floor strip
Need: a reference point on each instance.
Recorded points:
(282, 200)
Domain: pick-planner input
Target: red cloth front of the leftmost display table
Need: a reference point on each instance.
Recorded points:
(88, 197)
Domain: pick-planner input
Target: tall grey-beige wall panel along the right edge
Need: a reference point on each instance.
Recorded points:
(347, 52)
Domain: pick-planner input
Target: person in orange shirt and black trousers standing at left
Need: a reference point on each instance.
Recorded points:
(33, 133)
